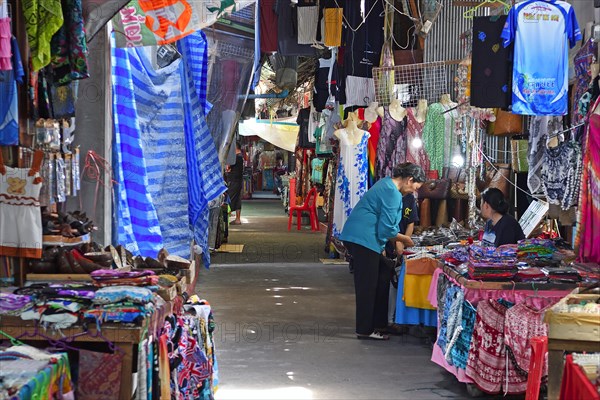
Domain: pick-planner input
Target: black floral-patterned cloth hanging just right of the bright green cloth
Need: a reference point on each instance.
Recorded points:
(69, 46)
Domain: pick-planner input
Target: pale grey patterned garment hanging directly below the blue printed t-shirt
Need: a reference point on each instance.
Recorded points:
(539, 129)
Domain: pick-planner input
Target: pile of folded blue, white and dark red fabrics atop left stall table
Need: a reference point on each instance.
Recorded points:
(124, 296)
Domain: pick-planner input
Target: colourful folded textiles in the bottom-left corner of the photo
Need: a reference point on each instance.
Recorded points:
(30, 373)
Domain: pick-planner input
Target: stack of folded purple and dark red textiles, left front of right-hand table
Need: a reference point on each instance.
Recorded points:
(492, 264)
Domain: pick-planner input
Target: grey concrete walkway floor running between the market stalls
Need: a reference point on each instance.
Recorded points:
(285, 324)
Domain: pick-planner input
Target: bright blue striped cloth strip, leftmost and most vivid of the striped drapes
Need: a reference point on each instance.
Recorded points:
(137, 222)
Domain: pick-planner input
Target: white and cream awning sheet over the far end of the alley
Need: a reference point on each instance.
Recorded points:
(280, 134)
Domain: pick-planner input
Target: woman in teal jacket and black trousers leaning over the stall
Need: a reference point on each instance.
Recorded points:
(372, 222)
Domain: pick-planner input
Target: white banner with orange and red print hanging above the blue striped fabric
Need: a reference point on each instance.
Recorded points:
(159, 22)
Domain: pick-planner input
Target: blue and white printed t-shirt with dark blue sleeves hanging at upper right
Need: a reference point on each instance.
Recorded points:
(542, 31)
